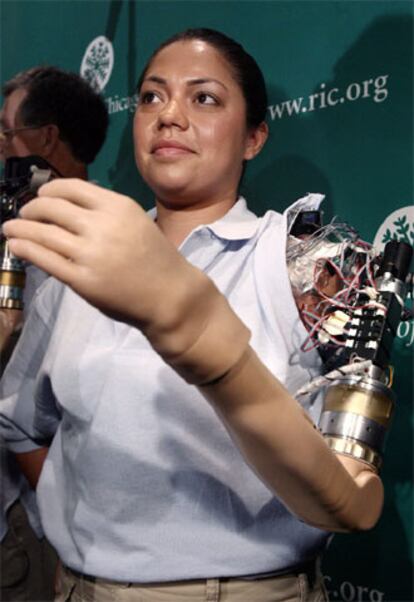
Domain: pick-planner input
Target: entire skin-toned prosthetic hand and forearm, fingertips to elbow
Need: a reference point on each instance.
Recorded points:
(107, 249)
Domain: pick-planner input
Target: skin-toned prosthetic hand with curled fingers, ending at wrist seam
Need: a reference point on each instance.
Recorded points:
(106, 248)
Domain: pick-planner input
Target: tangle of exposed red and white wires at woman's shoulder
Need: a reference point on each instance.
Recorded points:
(331, 271)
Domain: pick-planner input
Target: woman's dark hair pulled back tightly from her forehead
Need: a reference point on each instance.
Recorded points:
(246, 71)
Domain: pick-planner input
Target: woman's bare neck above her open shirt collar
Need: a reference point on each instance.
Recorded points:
(177, 223)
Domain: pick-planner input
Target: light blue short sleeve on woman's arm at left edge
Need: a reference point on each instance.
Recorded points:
(20, 427)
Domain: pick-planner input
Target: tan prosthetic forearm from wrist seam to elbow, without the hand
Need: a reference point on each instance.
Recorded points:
(281, 443)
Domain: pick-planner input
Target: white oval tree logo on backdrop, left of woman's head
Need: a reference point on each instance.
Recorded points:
(98, 62)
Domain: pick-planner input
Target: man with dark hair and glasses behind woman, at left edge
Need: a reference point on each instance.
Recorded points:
(57, 116)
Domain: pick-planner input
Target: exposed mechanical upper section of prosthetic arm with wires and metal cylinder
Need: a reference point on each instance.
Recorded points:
(351, 300)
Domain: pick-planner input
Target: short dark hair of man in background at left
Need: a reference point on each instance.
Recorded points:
(66, 100)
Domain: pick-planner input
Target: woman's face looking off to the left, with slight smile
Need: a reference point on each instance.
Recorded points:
(190, 129)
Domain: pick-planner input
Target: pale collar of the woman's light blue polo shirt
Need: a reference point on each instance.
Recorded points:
(239, 223)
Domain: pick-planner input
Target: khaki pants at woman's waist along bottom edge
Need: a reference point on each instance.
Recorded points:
(287, 588)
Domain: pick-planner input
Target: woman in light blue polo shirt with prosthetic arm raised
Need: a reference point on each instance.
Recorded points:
(143, 492)
